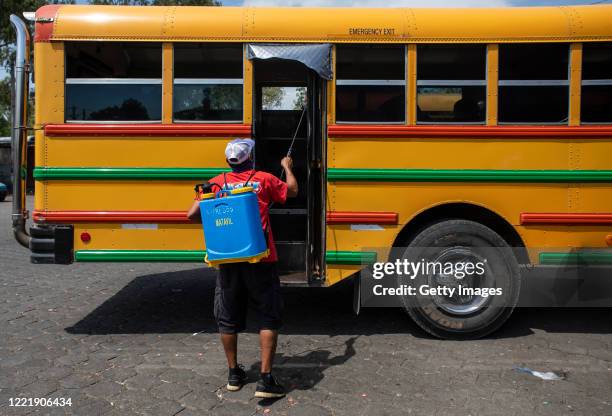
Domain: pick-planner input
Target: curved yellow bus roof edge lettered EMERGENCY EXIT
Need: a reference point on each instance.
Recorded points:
(358, 25)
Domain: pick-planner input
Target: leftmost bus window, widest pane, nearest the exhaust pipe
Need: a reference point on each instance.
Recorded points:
(113, 81)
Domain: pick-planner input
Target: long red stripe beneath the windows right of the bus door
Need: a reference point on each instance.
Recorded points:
(387, 131)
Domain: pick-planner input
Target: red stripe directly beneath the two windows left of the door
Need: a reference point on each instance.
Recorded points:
(202, 130)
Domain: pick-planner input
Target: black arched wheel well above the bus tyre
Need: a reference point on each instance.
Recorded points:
(464, 211)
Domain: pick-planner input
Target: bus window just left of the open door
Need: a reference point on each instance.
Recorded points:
(207, 82)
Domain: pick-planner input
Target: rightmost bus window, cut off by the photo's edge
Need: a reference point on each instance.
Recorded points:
(596, 105)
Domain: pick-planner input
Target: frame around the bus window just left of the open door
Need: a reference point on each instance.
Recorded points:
(210, 81)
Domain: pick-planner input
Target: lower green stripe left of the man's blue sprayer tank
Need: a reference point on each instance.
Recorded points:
(140, 256)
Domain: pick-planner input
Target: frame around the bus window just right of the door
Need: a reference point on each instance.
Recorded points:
(373, 82)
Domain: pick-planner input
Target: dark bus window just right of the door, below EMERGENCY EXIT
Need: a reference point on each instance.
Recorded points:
(371, 83)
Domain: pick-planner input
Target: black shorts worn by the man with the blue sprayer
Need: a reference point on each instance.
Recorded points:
(241, 284)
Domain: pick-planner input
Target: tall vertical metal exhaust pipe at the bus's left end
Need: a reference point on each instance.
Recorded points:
(19, 129)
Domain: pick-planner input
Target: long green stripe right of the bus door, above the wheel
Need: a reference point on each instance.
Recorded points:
(467, 175)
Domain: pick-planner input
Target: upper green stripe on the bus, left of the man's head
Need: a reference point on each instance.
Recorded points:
(45, 174)
